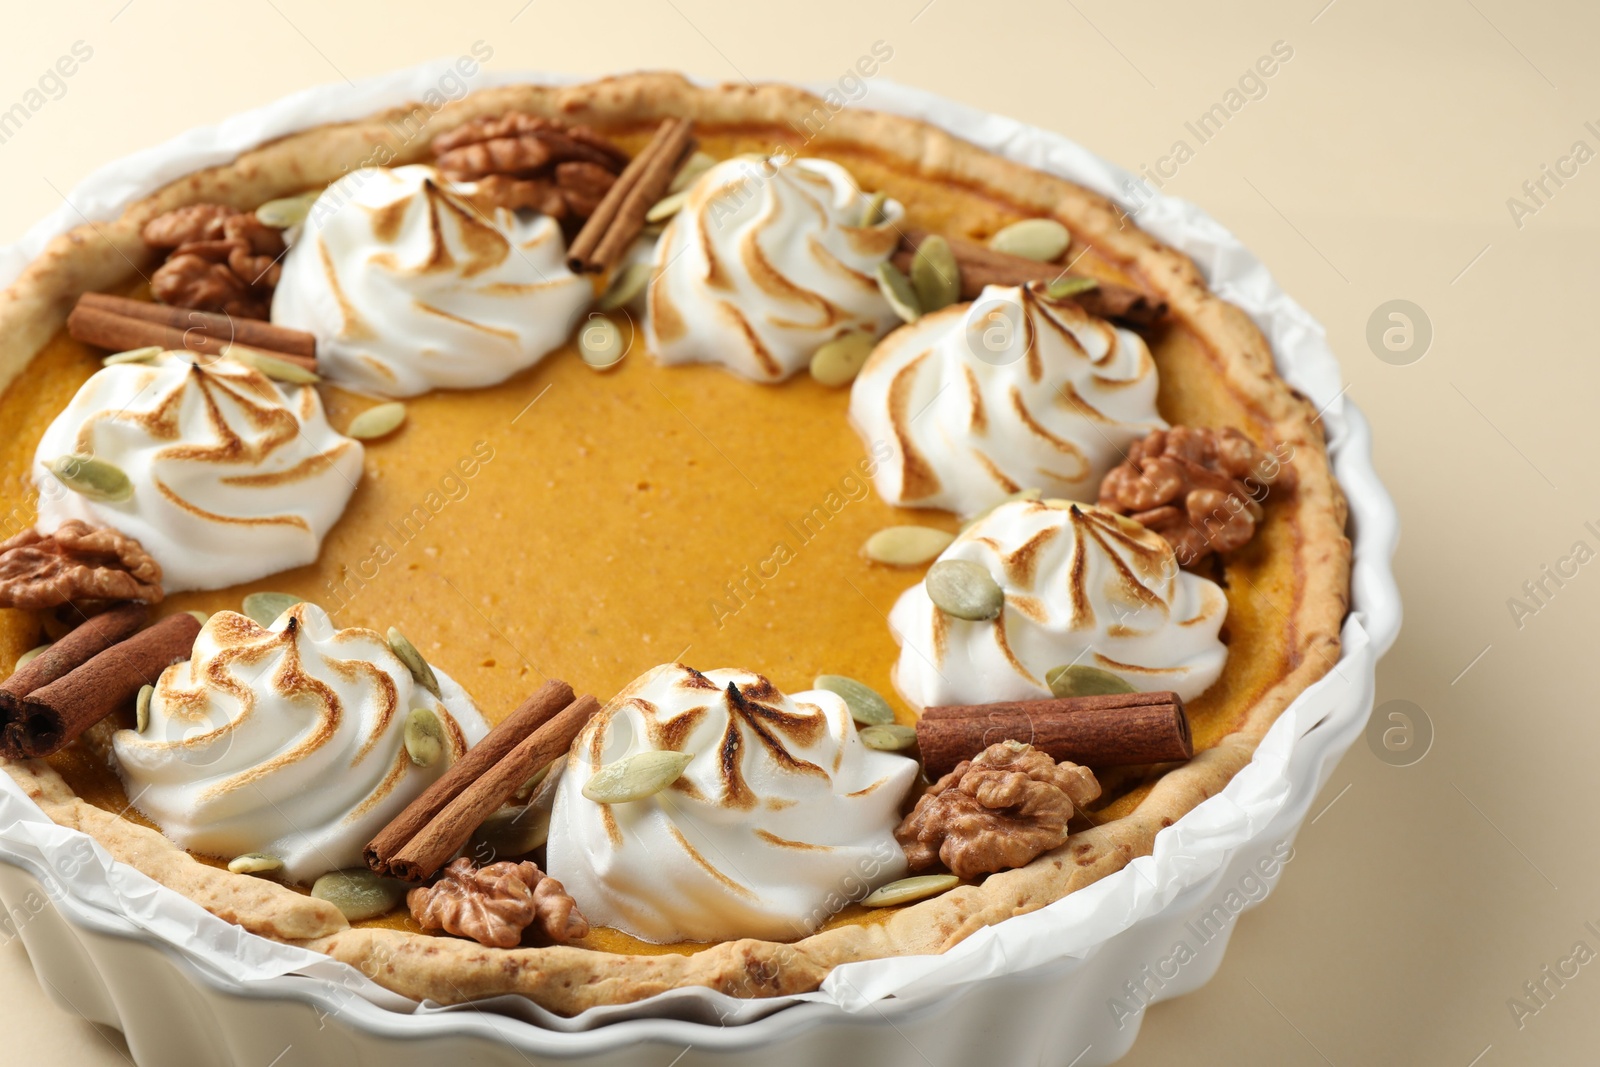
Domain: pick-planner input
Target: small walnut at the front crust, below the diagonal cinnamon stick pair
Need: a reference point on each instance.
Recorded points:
(497, 903)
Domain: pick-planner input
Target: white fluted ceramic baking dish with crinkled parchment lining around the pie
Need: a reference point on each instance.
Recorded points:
(1065, 986)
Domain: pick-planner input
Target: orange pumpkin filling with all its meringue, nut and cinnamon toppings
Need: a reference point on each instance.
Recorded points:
(964, 564)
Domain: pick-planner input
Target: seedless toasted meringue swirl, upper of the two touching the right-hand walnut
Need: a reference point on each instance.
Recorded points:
(1009, 393)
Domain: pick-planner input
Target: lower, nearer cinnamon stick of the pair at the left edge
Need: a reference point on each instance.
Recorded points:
(57, 714)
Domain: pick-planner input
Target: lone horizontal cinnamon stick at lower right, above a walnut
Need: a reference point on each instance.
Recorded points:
(1092, 730)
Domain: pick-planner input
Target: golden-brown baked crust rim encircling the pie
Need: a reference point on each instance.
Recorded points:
(570, 980)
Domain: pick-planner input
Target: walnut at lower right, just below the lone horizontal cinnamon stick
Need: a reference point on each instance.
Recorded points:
(994, 812)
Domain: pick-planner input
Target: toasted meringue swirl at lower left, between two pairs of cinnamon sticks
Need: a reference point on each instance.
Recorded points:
(287, 741)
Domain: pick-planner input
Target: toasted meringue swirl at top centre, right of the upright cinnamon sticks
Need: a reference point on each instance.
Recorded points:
(764, 265)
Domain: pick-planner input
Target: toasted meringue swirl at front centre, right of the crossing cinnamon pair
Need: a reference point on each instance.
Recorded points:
(782, 818)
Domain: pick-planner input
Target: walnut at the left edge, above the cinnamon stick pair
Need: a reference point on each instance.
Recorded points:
(74, 564)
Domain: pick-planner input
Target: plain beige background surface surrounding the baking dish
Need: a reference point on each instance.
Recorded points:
(1377, 167)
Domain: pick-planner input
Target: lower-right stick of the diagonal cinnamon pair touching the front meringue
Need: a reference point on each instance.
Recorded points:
(452, 828)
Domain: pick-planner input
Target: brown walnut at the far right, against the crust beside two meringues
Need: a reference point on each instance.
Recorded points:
(1199, 489)
